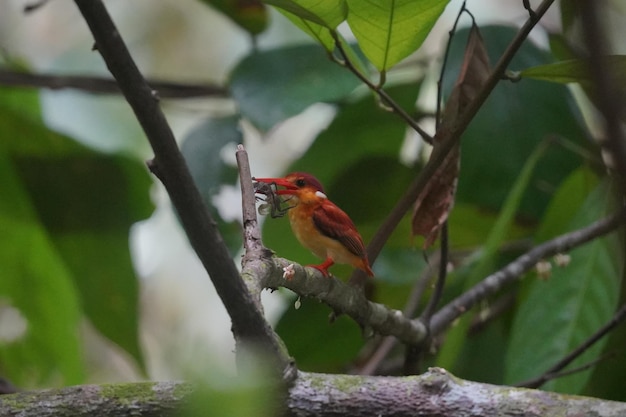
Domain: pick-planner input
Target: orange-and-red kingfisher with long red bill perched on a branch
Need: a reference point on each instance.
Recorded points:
(319, 224)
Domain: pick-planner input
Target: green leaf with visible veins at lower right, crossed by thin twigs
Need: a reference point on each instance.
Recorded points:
(563, 311)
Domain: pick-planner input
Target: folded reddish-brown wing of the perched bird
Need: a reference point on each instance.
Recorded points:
(333, 222)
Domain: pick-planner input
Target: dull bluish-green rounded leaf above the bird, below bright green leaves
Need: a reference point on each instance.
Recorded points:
(272, 86)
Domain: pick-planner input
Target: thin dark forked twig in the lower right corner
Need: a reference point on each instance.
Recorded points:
(556, 370)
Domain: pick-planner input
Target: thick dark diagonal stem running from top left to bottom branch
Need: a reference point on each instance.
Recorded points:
(248, 324)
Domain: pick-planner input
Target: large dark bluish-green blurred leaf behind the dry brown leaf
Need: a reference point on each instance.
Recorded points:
(512, 122)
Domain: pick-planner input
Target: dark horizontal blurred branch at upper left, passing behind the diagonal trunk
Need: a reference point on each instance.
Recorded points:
(101, 85)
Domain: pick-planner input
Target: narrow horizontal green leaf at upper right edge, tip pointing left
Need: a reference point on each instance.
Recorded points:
(576, 71)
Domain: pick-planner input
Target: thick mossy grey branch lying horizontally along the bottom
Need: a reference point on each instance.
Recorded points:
(435, 393)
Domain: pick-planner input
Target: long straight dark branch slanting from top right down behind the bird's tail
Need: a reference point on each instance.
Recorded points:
(447, 144)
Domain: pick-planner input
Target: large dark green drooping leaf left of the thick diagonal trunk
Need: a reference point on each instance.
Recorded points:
(85, 204)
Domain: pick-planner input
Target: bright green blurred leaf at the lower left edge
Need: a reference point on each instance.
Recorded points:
(37, 284)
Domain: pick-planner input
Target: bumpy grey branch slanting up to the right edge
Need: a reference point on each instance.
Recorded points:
(513, 271)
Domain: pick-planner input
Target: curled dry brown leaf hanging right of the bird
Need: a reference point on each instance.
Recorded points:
(434, 203)
